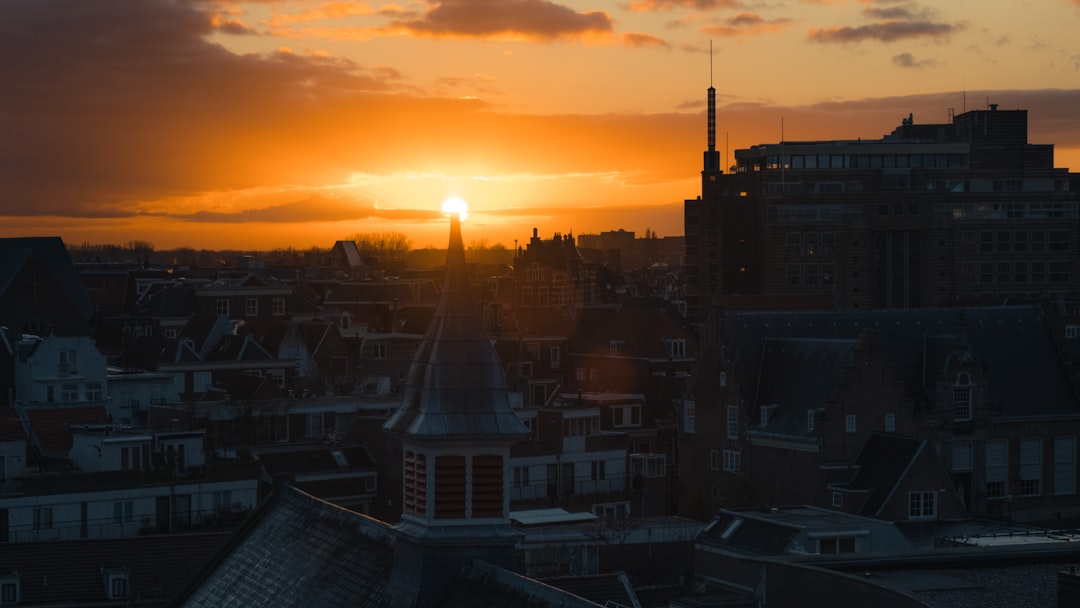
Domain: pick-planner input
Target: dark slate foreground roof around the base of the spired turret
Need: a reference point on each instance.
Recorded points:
(302, 551)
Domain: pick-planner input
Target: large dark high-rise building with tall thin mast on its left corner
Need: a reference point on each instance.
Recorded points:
(930, 215)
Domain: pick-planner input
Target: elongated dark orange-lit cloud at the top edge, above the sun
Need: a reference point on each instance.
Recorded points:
(537, 20)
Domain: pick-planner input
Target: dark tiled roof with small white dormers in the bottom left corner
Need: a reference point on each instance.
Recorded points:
(70, 573)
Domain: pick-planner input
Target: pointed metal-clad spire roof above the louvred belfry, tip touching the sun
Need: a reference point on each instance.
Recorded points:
(456, 387)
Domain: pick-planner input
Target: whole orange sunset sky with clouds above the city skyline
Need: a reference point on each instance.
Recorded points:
(268, 125)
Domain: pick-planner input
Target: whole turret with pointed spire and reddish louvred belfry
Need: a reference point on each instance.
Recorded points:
(456, 427)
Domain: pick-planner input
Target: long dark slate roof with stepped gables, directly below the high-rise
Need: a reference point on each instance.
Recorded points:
(1014, 344)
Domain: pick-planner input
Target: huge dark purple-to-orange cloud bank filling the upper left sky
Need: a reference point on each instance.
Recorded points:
(112, 102)
